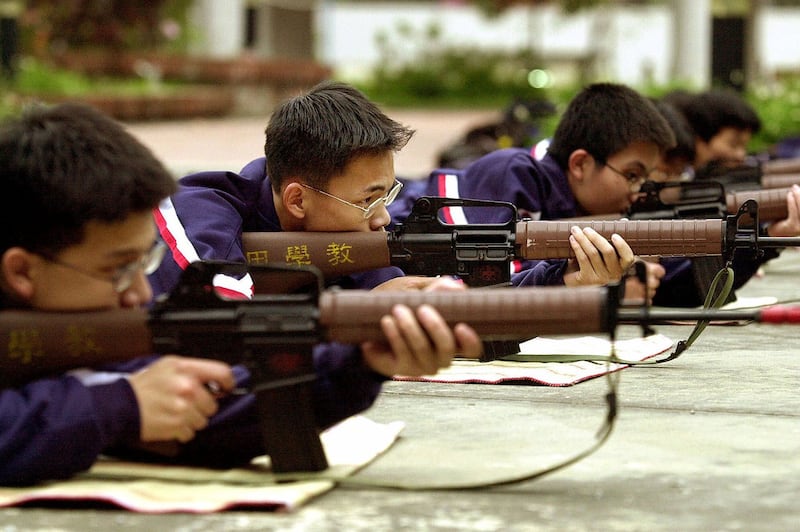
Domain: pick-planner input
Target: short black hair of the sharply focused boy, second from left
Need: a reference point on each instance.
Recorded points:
(314, 136)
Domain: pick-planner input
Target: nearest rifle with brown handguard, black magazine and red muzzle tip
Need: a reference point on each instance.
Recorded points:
(272, 335)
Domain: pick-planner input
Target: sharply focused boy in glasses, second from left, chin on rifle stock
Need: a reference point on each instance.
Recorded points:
(329, 166)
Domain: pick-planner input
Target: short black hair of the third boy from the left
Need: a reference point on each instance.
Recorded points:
(606, 118)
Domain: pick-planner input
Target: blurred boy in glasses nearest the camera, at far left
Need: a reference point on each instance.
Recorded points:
(78, 235)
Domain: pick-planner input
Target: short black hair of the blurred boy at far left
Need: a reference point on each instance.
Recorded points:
(62, 166)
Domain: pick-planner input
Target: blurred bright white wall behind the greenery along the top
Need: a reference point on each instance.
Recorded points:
(635, 43)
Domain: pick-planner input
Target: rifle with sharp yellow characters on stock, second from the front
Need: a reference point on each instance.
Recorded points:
(481, 254)
